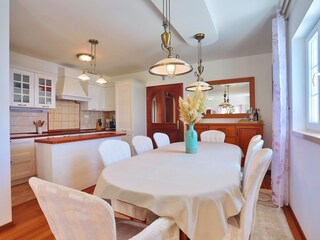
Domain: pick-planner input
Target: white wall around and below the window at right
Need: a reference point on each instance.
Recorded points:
(304, 155)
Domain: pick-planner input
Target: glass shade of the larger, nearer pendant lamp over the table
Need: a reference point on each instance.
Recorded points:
(170, 67)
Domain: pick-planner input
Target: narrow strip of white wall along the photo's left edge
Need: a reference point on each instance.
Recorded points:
(5, 184)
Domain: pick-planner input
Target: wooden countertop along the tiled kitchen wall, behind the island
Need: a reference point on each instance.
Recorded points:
(57, 133)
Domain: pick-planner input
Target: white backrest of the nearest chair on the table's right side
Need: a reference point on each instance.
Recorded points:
(257, 169)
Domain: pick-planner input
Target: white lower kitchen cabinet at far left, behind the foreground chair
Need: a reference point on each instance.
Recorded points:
(22, 158)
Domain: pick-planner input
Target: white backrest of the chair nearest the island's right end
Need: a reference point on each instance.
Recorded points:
(113, 151)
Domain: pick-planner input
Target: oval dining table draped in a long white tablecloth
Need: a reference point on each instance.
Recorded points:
(199, 191)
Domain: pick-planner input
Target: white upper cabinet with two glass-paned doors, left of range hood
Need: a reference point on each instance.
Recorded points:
(30, 89)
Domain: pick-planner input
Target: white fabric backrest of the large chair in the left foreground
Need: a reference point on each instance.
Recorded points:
(72, 214)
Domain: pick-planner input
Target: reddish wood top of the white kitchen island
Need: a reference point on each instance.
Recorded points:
(76, 138)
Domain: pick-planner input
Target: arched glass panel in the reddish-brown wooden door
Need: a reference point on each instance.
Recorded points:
(163, 108)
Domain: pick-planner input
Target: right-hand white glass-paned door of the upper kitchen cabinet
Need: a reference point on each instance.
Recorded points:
(45, 91)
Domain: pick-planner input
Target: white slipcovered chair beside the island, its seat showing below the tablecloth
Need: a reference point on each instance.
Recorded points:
(116, 150)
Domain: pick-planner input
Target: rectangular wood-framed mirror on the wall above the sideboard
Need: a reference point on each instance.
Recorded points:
(230, 98)
